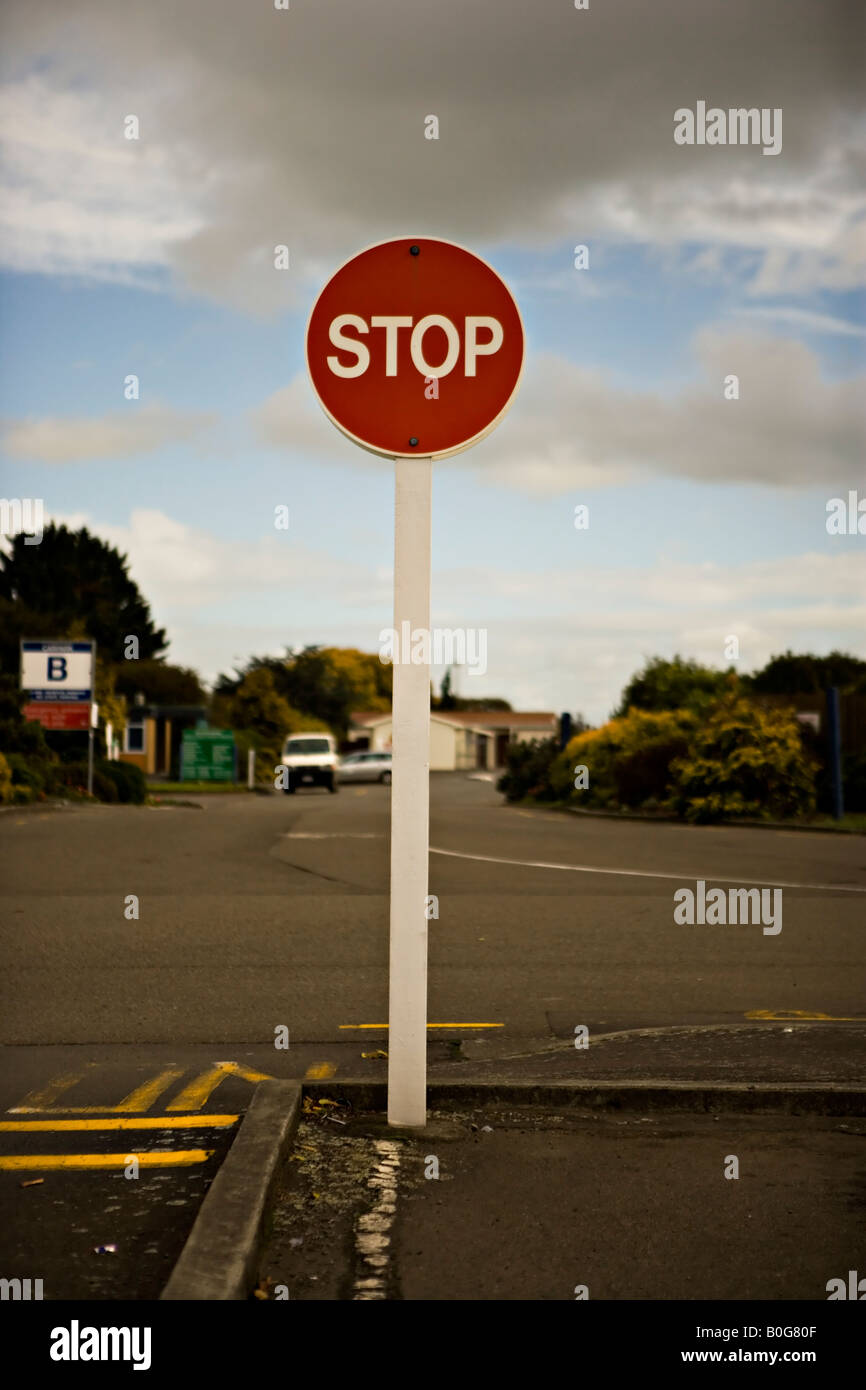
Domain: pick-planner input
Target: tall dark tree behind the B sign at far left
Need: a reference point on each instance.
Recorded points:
(73, 584)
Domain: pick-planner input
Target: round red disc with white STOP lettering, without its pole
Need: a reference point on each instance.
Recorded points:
(415, 348)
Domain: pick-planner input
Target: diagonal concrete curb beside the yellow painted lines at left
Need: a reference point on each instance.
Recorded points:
(220, 1260)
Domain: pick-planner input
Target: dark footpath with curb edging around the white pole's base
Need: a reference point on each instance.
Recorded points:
(650, 1168)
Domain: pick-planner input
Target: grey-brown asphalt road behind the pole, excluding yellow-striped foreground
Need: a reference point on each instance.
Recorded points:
(266, 911)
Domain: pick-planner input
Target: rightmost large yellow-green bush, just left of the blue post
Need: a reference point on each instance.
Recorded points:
(746, 762)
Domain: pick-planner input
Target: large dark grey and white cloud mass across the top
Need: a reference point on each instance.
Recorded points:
(307, 127)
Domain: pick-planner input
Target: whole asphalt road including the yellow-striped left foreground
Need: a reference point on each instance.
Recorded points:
(258, 914)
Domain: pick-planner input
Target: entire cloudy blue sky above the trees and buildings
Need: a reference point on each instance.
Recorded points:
(305, 127)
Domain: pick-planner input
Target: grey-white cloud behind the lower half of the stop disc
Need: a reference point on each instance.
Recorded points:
(573, 427)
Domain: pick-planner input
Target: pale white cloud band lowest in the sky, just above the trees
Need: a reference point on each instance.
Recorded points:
(572, 643)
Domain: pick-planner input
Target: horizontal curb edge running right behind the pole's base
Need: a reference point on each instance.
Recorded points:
(715, 1097)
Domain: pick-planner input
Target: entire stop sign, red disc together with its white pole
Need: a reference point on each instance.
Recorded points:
(415, 350)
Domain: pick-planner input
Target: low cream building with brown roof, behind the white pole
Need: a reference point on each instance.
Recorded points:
(459, 740)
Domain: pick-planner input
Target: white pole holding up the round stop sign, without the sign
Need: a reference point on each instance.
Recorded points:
(409, 799)
